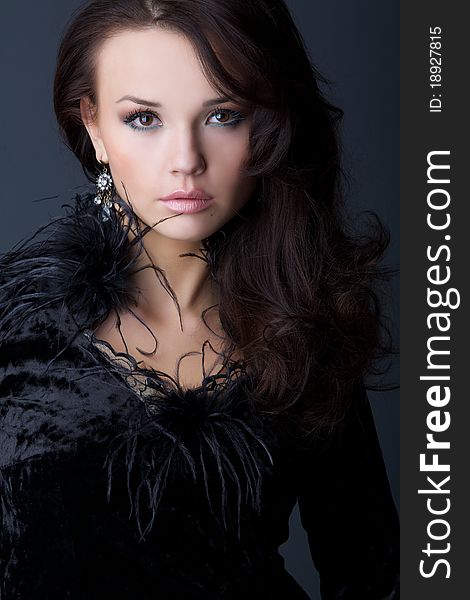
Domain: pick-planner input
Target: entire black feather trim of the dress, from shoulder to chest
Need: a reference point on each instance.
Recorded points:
(210, 435)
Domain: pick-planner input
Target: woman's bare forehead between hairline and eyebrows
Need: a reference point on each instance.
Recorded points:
(151, 63)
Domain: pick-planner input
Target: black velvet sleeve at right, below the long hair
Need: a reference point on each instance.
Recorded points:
(347, 509)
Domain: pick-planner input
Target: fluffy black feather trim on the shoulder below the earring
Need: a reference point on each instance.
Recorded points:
(83, 263)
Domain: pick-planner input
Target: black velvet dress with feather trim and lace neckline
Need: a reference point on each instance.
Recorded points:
(115, 483)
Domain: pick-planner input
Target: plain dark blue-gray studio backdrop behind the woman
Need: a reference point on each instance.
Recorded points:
(355, 44)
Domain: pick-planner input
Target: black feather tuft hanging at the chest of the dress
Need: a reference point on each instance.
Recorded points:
(210, 436)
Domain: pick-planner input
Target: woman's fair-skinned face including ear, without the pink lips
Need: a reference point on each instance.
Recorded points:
(181, 144)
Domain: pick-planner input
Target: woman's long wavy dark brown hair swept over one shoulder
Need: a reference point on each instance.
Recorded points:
(298, 286)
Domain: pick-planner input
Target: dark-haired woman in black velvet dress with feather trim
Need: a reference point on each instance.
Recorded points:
(177, 373)
